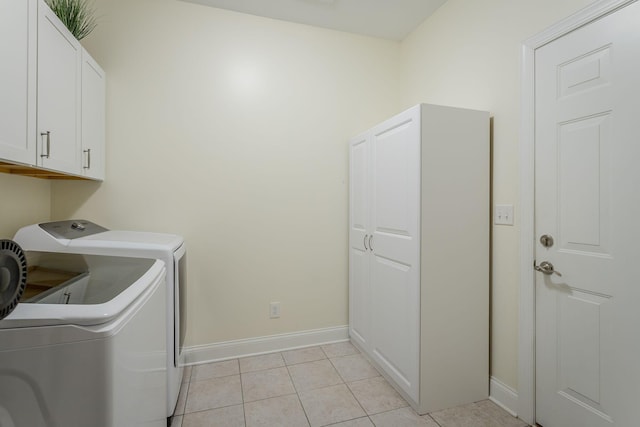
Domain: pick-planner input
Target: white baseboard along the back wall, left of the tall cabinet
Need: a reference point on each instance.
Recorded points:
(198, 354)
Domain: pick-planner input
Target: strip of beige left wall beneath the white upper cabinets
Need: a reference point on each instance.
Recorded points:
(25, 201)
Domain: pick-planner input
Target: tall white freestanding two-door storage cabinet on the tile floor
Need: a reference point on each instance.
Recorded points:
(419, 253)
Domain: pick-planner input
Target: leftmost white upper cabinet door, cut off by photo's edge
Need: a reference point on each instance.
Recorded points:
(18, 20)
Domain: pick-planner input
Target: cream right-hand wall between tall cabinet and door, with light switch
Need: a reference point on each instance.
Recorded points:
(468, 55)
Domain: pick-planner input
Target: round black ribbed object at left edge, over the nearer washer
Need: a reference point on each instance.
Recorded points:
(13, 276)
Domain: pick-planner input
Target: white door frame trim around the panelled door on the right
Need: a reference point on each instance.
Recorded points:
(527, 299)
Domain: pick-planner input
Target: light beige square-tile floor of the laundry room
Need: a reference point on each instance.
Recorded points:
(312, 387)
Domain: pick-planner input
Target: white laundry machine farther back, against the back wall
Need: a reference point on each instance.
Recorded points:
(80, 236)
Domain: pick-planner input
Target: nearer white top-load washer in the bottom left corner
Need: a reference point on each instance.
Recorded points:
(83, 346)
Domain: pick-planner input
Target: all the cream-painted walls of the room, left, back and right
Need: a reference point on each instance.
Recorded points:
(231, 130)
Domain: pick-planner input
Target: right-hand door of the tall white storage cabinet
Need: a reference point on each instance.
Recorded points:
(395, 261)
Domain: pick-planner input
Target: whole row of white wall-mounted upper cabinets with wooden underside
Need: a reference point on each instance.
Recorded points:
(52, 95)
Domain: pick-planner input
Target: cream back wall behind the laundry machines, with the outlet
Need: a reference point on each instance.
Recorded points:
(231, 130)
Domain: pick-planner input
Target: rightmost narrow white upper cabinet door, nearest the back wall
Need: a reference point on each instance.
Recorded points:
(93, 118)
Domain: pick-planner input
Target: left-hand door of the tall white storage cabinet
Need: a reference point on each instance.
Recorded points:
(359, 290)
